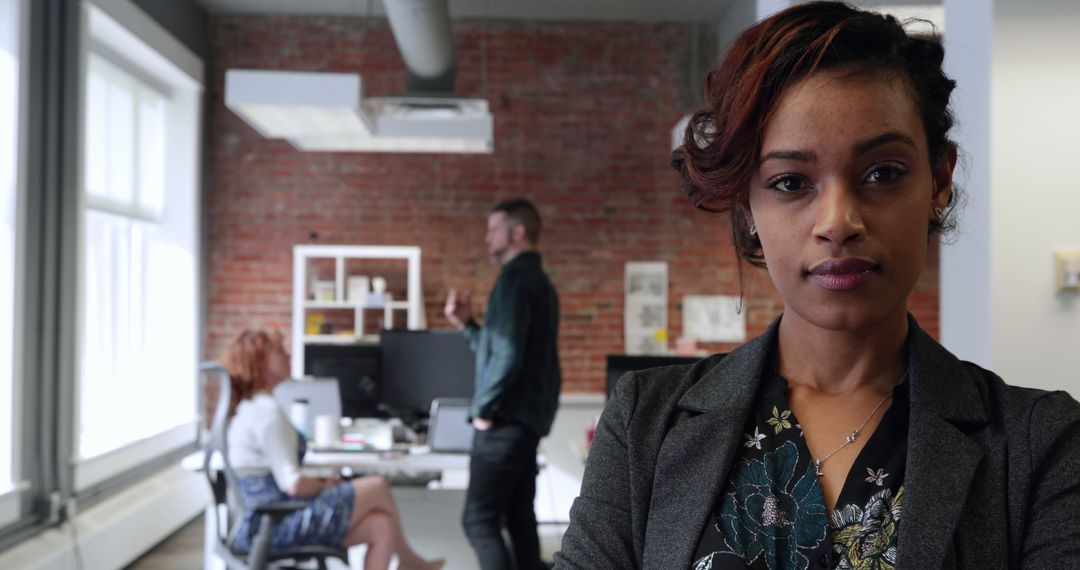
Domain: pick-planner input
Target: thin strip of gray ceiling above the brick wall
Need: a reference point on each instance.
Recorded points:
(550, 10)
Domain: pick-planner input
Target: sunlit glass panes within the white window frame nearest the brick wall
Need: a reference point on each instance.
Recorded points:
(125, 185)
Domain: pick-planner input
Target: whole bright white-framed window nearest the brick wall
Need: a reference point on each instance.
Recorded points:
(140, 315)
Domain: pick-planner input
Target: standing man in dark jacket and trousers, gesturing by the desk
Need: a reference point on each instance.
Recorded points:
(518, 384)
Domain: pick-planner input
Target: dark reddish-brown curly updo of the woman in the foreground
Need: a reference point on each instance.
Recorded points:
(724, 141)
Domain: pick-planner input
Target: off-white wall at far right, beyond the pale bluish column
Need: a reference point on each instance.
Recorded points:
(1035, 113)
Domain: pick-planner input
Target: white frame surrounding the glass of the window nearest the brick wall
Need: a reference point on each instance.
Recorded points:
(115, 30)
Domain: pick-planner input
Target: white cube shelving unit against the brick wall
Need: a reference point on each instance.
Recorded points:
(304, 302)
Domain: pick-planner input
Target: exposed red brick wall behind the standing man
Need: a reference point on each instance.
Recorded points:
(584, 115)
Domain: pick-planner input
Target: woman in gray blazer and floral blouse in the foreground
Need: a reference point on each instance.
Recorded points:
(845, 437)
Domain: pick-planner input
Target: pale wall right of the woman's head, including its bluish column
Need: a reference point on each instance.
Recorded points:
(1019, 67)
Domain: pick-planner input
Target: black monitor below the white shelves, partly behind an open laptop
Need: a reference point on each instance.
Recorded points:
(357, 370)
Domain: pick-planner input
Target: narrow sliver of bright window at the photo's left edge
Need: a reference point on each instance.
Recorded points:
(10, 20)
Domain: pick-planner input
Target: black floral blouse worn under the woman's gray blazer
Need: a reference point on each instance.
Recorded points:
(772, 513)
